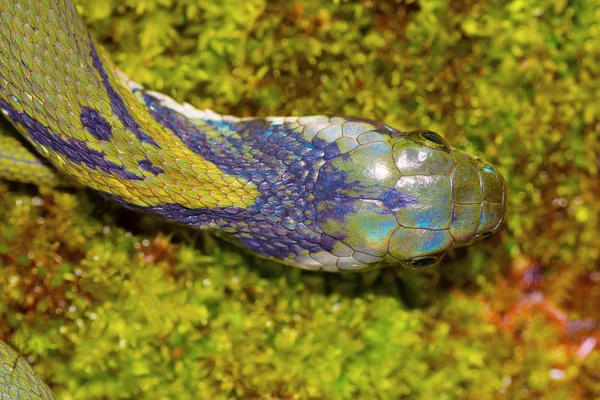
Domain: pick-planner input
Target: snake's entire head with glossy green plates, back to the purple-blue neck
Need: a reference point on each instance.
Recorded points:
(406, 198)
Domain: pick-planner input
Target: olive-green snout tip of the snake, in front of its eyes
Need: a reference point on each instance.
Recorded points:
(479, 199)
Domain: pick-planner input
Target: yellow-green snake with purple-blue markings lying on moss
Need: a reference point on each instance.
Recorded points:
(324, 192)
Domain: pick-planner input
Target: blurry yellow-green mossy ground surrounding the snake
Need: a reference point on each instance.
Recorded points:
(108, 304)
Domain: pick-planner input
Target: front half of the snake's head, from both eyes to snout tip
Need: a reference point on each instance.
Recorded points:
(457, 199)
